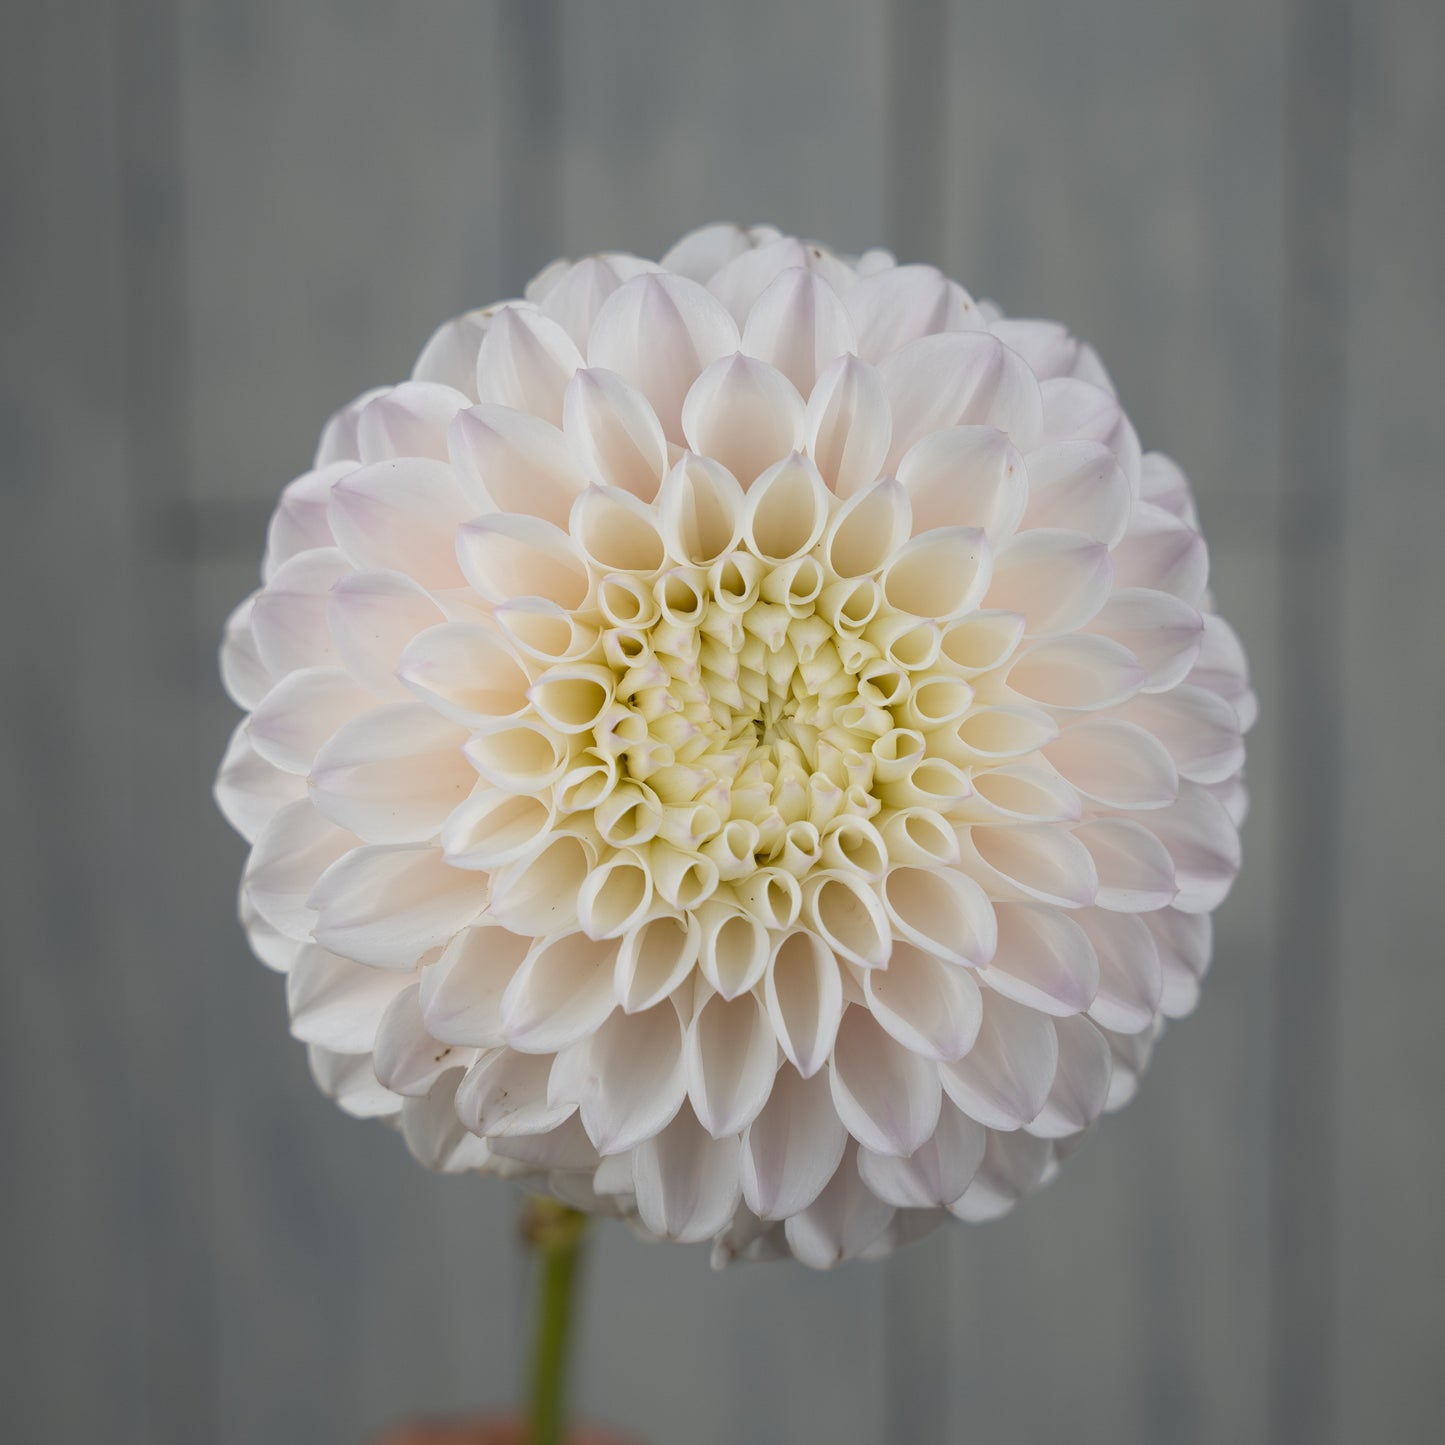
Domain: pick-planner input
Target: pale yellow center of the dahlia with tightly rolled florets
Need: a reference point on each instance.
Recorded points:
(732, 729)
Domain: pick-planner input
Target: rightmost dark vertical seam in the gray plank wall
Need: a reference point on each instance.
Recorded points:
(1313, 463)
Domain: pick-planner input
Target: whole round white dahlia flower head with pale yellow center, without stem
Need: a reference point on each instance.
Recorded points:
(742, 742)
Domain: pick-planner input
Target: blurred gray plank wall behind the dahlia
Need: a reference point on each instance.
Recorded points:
(222, 220)
